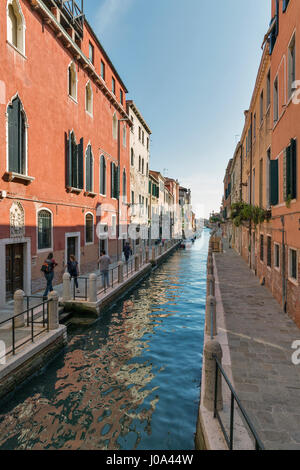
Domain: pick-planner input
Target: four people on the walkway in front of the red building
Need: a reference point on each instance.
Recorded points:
(104, 262)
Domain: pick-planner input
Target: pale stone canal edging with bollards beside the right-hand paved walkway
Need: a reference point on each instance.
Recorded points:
(209, 435)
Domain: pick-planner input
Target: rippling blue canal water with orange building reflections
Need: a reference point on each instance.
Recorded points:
(129, 381)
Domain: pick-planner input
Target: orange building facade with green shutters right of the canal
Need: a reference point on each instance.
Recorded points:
(270, 176)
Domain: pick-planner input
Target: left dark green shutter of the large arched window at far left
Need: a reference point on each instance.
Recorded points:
(13, 136)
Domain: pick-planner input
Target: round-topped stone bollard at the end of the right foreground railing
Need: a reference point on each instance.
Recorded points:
(212, 348)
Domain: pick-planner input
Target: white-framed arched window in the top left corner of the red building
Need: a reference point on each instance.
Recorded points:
(15, 25)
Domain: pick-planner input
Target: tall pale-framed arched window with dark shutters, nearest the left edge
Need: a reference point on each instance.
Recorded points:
(17, 137)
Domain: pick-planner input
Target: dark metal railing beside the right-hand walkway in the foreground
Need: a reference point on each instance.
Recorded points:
(234, 399)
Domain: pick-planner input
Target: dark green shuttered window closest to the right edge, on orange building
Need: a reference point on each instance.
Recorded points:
(290, 171)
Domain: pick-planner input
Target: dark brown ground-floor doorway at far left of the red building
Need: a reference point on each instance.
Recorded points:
(14, 269)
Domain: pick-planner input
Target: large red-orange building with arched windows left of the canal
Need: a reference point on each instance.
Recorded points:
(64, 144)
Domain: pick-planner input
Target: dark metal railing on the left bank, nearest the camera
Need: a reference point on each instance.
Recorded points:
(34, 315)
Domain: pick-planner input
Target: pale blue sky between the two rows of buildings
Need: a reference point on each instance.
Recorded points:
(190, 66)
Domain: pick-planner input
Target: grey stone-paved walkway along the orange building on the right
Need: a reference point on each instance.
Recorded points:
(260, 336)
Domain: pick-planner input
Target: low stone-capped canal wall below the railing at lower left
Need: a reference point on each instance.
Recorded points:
(30, 360)
